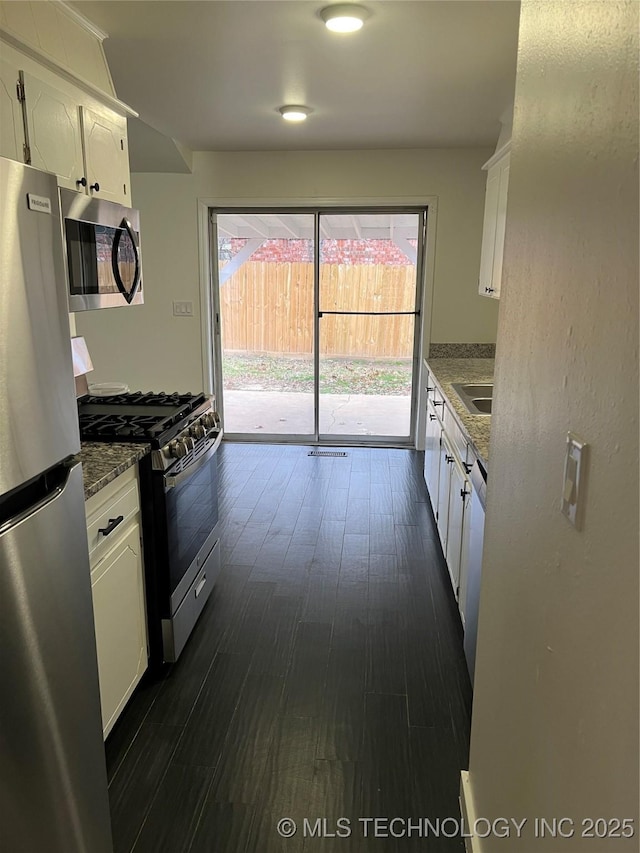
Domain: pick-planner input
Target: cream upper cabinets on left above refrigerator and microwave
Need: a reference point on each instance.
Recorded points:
(63, 117)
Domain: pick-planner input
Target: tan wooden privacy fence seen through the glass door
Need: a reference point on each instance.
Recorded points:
(267, 307)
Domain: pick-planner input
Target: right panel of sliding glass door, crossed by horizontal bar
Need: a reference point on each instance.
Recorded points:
(368, 305)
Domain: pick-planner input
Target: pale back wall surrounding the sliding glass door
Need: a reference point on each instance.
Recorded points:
(149, 348)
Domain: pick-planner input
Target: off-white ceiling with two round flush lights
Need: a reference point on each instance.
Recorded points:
(212, 73)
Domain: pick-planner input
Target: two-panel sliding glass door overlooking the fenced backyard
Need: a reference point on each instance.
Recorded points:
(318, 323)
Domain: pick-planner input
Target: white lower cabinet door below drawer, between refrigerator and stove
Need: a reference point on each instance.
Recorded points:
(119, 615)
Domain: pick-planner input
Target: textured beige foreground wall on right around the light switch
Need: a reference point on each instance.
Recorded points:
(555, 714)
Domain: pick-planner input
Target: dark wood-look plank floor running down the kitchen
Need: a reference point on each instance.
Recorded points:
(325, 678)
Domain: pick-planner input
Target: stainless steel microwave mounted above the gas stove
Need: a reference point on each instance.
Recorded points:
(102, 252)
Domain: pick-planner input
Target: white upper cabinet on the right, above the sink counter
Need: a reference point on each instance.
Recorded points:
(493, 231)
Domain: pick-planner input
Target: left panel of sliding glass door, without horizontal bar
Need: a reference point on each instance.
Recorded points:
(266, 308)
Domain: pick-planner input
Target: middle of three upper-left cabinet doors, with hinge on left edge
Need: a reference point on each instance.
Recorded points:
(53, 127)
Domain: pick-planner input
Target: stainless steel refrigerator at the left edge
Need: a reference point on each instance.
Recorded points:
(53, 783)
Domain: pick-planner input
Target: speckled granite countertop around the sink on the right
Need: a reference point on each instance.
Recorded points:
(447, 371)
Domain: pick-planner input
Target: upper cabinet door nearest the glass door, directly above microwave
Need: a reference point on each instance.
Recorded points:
(106, 155)
